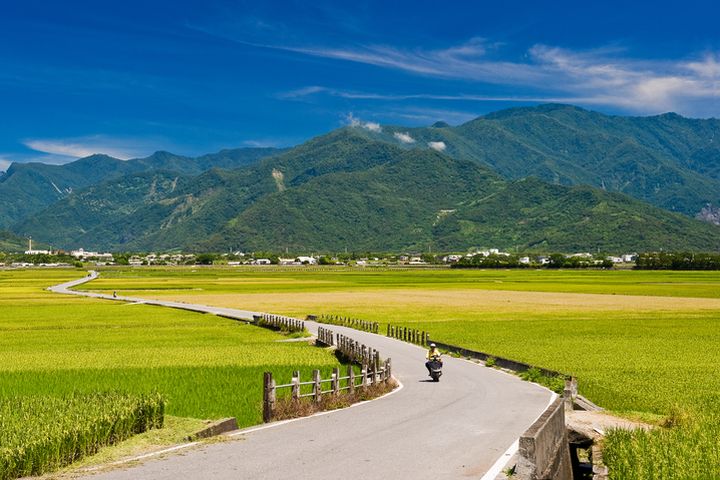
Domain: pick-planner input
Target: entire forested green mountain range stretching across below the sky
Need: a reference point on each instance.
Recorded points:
(552, 177)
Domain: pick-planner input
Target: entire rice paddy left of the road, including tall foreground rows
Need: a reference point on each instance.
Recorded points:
(56, 348)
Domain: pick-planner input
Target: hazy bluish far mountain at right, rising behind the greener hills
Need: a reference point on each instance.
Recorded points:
(667, 160)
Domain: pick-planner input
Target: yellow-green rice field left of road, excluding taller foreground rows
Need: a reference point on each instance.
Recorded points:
(204, 366)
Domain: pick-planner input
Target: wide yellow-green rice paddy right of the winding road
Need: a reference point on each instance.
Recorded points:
(641, 343)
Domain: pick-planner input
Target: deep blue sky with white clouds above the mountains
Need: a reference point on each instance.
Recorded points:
(128, 78)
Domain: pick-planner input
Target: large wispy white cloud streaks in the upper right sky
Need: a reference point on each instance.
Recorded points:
(592, 77)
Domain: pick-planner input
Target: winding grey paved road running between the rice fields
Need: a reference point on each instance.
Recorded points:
(457, 428)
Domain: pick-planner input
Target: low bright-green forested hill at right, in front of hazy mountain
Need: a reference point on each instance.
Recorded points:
(532, 215)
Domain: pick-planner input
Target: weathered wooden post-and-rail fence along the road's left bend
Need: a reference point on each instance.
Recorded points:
(373, 371)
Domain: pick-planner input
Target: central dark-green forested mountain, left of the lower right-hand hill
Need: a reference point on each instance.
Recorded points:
(389, 206)
